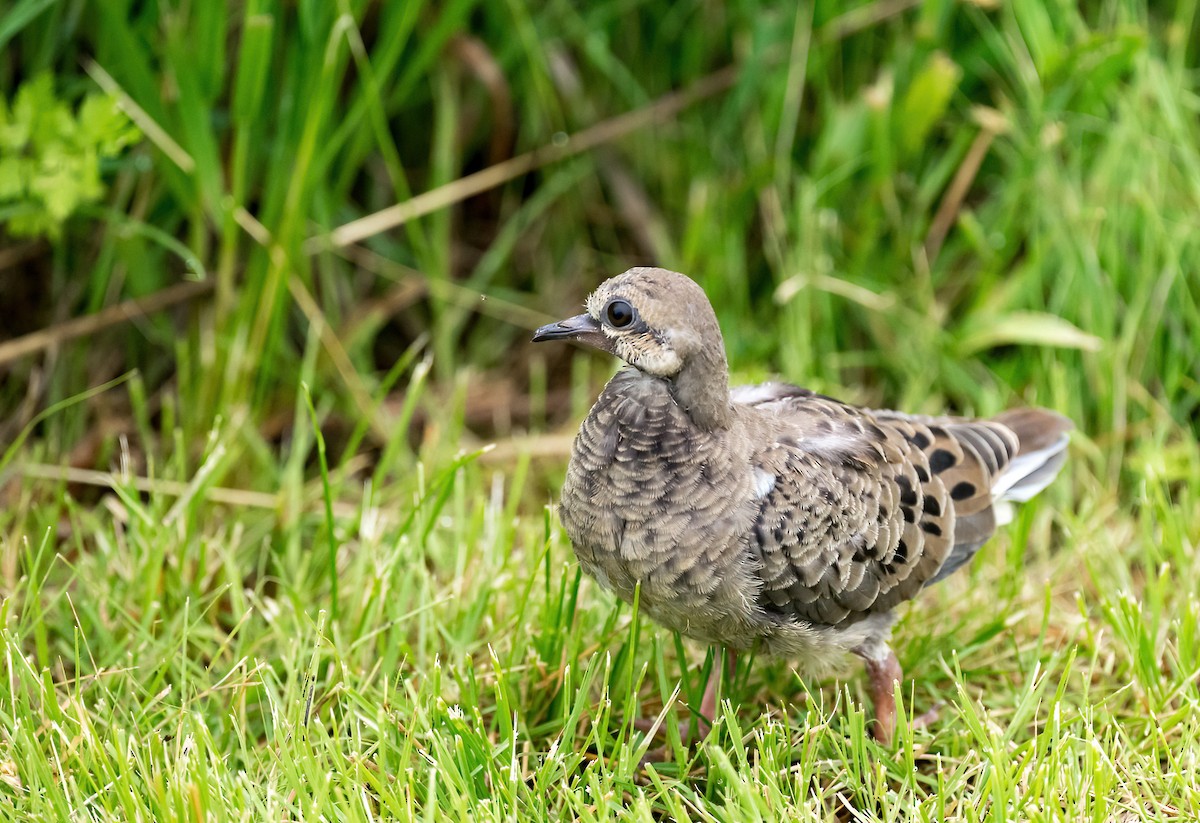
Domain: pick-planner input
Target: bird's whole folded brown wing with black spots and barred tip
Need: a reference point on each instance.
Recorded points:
(859, 510)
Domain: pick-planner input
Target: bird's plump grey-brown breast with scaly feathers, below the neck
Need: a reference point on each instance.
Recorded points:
(653, 501)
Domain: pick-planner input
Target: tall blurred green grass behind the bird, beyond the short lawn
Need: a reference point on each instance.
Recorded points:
(914, 201)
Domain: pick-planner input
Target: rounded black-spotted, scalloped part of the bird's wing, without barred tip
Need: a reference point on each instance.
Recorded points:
(856, 521)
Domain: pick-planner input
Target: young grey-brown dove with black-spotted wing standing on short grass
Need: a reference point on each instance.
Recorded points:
(770, 519)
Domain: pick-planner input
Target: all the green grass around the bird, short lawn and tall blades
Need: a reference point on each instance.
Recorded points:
(284, 579)
